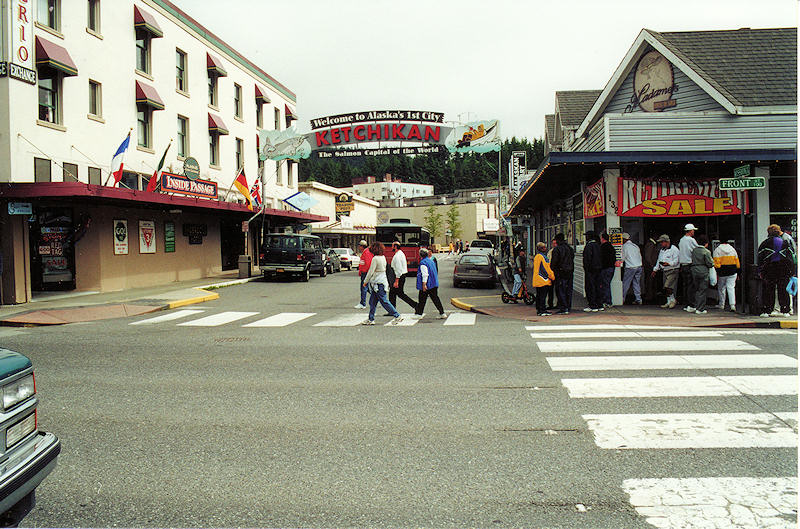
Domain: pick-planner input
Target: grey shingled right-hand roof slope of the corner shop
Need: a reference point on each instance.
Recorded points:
(750, 67)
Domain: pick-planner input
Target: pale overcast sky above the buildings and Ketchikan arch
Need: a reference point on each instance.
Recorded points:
(470, 59)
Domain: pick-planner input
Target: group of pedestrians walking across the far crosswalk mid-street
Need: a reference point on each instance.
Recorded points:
(385, 283)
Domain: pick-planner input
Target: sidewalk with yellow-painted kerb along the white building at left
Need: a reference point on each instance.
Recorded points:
(62, 308)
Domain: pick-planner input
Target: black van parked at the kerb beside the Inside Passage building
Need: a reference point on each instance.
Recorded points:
(292, 254)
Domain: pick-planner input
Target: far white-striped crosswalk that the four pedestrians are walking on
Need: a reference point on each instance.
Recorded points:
(245, 319)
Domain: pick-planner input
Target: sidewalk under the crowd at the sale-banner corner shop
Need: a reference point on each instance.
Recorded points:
(625, 315)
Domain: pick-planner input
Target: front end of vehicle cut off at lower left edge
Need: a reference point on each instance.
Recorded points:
(28, 454)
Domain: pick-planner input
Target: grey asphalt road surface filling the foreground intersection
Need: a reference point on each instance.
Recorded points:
(304, 425)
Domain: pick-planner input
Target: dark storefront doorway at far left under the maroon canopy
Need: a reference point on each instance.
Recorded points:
(52, 237)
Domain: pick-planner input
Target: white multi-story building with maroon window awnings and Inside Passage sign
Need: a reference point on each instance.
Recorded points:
(76, 80)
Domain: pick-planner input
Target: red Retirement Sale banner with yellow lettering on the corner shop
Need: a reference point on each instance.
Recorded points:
(665, 198)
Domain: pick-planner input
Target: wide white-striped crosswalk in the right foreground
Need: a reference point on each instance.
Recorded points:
(614, 359)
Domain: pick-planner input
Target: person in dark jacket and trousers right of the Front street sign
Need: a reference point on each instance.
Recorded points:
(777, 263)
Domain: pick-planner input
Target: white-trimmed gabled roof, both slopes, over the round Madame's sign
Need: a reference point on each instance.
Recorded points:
(747, 71)
